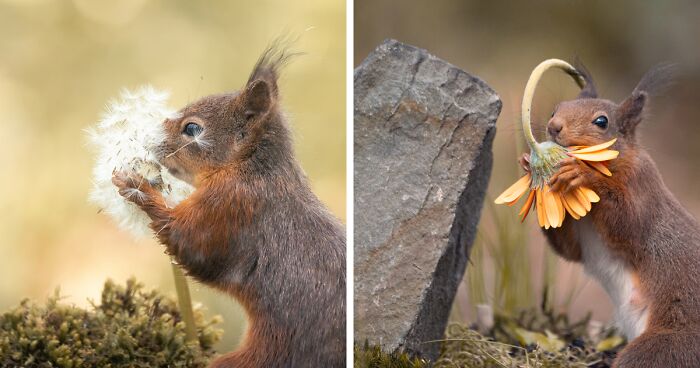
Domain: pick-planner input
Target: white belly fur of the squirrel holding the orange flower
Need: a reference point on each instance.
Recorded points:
(618, 281)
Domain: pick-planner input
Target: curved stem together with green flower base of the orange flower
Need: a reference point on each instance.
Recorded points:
(545, 156)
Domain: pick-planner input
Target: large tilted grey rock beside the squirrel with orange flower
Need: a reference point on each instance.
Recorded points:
(423, 133)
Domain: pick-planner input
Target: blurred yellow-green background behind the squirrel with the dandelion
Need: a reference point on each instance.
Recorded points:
(61, 61)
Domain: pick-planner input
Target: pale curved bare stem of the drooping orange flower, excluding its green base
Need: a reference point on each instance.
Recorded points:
(530, 92)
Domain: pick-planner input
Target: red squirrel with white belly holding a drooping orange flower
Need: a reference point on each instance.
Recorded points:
(638, 241)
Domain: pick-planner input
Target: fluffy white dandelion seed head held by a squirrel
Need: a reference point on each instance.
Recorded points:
(127, 139)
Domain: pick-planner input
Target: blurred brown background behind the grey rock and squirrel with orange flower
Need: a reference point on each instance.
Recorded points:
(501, 42)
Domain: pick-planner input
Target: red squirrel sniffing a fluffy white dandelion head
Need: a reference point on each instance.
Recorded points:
(253, 228)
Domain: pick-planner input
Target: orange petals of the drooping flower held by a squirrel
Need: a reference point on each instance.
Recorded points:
(552, 207)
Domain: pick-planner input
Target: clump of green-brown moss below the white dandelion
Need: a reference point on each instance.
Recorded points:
(131, 327)
